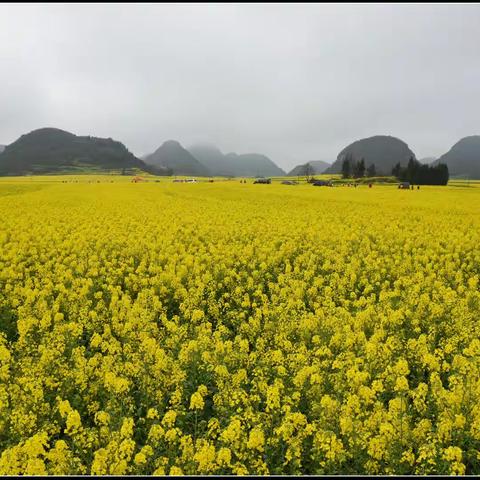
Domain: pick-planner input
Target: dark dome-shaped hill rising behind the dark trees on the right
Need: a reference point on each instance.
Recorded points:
(382, 150)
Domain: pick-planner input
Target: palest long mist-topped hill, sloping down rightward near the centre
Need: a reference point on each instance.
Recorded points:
(232, 164)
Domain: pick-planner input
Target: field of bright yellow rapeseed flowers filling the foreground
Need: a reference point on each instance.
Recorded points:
(231, 328)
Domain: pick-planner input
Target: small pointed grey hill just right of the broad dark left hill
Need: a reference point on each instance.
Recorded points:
(180, 161)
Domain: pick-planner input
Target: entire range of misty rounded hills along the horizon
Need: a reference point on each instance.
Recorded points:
(52, 150)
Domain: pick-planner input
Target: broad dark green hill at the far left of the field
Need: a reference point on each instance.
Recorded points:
(51, 150)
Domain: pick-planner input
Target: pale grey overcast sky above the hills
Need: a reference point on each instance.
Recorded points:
(295, 82)
